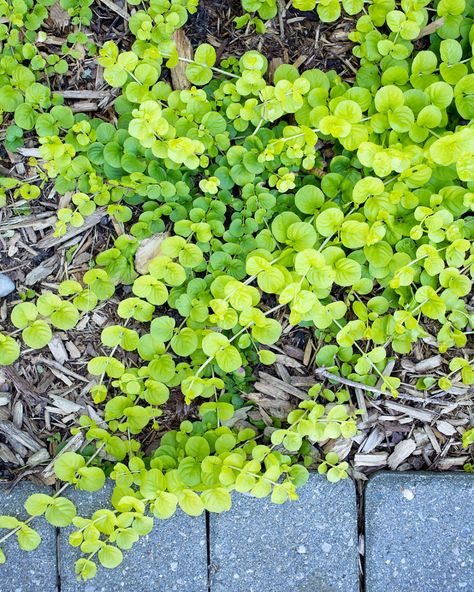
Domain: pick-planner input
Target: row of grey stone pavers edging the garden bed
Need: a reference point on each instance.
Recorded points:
(419, 537)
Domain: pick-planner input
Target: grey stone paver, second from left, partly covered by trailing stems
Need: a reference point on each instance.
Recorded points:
(173, 557)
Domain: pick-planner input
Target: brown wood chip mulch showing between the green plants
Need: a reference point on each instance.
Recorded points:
(42, 396)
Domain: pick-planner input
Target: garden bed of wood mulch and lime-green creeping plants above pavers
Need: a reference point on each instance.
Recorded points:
(213, 204)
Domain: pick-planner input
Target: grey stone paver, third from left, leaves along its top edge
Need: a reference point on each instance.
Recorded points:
(304, 546)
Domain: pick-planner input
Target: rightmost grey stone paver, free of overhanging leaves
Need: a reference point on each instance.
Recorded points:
(419, 532)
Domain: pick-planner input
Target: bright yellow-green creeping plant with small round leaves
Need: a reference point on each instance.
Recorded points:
(249, 190)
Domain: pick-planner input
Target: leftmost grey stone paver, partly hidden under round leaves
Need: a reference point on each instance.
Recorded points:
(34, 571)
